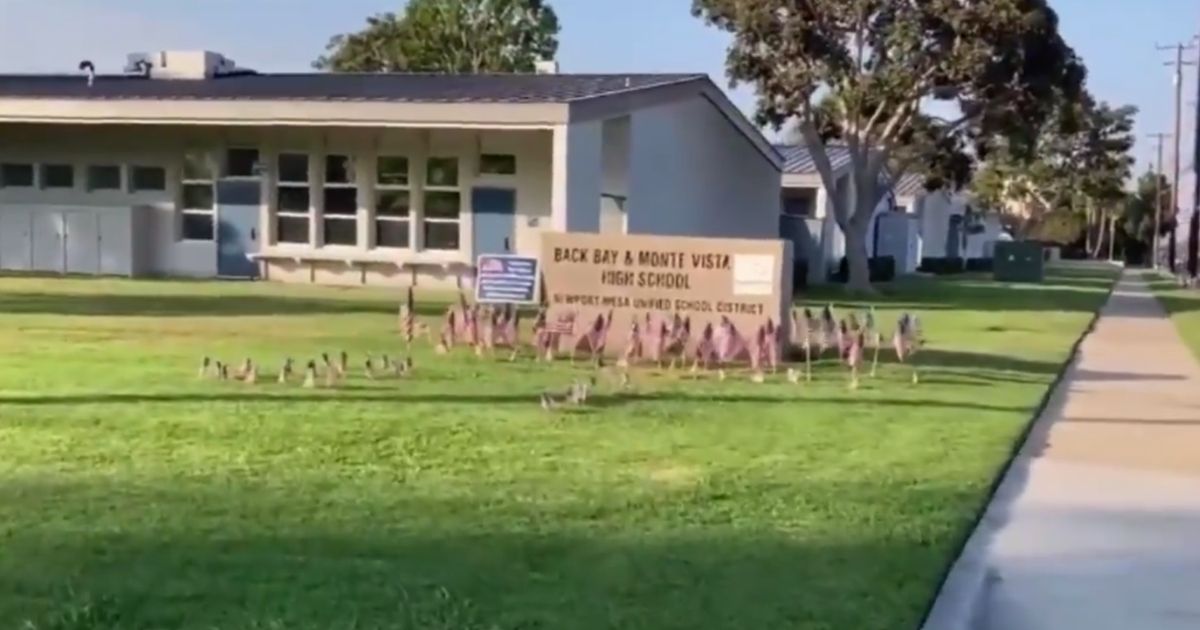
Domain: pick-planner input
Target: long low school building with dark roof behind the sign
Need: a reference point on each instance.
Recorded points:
(190, 166)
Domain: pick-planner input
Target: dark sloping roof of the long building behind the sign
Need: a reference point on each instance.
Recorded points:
(350, 87)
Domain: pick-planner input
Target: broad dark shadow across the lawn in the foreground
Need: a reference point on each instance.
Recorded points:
(286, 559)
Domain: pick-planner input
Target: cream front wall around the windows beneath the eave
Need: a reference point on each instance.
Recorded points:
(165, 147)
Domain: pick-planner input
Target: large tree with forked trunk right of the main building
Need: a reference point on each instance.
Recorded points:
(1001, 63)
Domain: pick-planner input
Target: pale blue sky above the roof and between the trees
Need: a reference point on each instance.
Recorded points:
(1117, 39)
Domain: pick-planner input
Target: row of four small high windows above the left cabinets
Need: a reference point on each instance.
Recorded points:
(97, 177)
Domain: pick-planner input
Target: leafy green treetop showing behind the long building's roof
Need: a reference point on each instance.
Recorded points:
(449, 37)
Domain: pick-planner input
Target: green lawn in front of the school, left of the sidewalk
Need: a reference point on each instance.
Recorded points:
(135, 496)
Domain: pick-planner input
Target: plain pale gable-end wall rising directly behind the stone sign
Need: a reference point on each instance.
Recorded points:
(693, 173)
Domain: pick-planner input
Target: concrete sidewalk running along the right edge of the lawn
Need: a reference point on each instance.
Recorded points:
(1097, 524)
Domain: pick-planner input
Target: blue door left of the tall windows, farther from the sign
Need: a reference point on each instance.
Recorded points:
(238, 207)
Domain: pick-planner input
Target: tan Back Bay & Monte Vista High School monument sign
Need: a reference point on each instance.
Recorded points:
(749, 281)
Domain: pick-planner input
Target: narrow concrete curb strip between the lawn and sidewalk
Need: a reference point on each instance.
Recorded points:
(957, 603)
